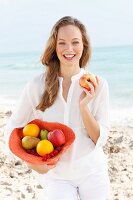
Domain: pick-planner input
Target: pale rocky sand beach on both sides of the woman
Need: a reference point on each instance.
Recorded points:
(19, 182)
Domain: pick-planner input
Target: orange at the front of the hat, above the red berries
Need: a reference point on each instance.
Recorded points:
(44, 147)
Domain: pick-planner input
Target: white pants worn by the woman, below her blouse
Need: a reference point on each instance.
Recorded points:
(93, 187)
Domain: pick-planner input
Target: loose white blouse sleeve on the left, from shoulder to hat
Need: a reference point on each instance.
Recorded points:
(25, 110)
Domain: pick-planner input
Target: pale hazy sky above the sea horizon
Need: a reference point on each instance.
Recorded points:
(26, 24)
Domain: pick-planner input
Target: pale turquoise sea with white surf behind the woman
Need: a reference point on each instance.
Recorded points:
(115, 64)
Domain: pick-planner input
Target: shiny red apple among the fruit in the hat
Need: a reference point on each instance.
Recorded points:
(56, 137)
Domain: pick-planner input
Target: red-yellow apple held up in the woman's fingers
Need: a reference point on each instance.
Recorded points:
(83, 81)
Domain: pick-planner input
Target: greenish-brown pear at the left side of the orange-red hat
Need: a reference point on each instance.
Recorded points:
(29, 142)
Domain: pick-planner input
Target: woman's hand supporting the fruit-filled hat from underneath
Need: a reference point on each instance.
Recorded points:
(41, 169)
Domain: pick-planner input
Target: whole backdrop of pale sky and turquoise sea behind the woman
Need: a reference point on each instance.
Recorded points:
(24, 30)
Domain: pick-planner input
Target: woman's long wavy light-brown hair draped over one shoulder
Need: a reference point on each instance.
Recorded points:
(52, 63)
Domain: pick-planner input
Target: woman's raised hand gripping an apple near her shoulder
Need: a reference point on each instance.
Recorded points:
(86, 95)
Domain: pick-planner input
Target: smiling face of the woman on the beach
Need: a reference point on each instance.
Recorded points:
(69, 46)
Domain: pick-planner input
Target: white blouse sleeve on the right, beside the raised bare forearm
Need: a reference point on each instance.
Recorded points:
(102, 114)
